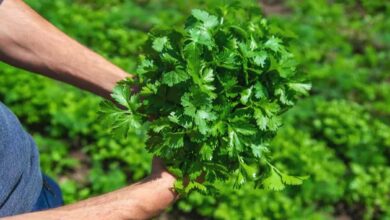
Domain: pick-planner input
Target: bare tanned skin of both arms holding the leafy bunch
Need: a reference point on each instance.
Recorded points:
(30, 42)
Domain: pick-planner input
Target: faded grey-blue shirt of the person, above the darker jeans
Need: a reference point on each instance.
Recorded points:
(20, 174)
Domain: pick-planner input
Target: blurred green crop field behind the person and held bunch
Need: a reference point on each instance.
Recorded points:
(340, 135)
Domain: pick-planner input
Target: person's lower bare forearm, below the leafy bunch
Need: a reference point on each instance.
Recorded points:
(139, 201)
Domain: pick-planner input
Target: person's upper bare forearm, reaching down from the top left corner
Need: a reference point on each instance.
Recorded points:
(28, 41)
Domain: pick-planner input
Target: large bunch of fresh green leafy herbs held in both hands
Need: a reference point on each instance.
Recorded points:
(209, 98)
